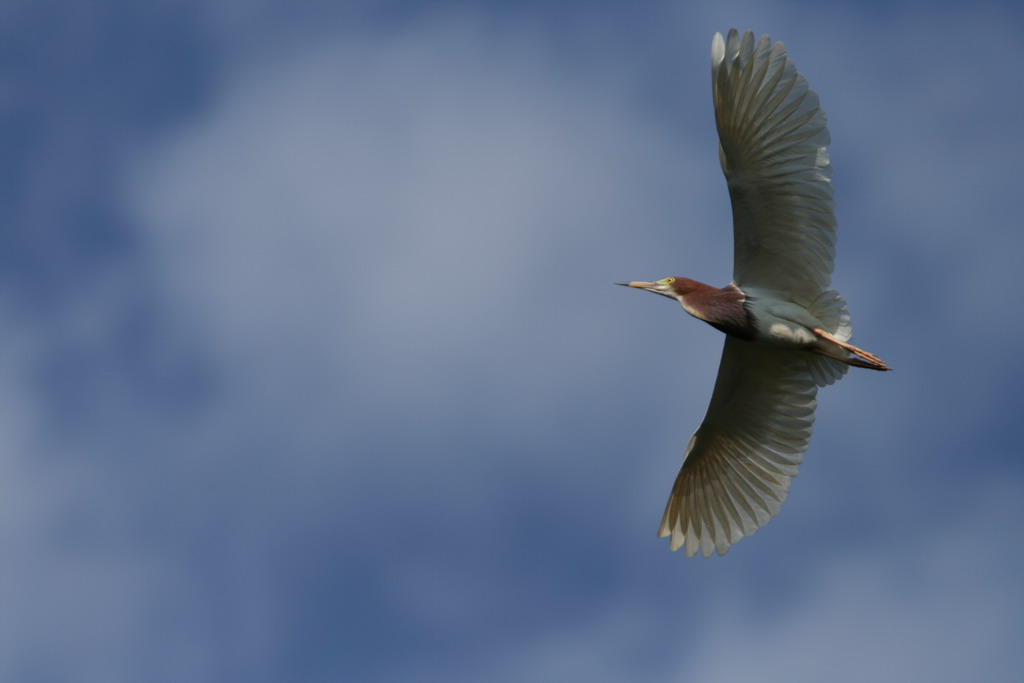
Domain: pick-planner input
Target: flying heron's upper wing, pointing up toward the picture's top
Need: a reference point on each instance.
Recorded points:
(774, 152)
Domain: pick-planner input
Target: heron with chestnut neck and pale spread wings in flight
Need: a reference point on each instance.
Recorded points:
(787, 332)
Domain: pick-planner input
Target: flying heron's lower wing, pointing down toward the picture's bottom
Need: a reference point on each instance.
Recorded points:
(739, 465)
